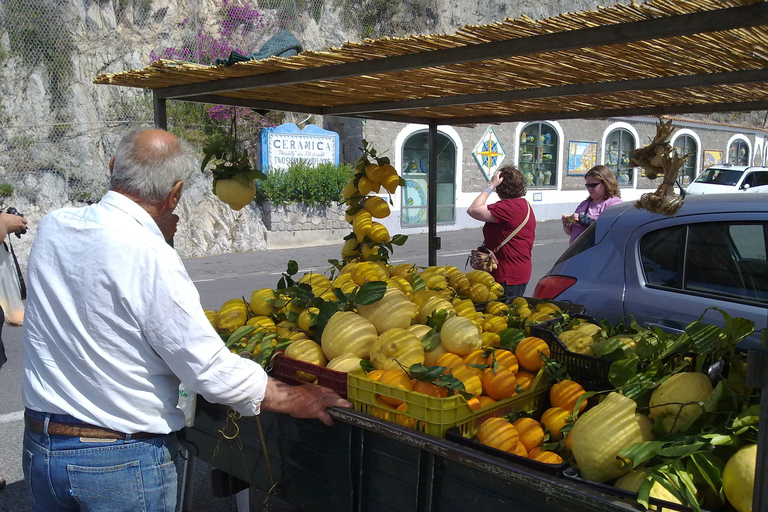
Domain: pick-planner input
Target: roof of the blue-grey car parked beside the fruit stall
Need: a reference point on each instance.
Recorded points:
(627, 217)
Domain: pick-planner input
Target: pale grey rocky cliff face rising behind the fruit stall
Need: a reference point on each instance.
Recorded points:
(58, 129)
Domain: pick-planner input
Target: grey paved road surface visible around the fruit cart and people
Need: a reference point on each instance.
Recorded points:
(219, 278)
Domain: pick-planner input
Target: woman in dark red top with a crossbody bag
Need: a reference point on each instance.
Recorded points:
(501, 219)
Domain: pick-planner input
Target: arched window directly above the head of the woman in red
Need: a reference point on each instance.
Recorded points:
(538, 155)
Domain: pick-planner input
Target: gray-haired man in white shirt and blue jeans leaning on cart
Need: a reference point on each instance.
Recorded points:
(113, 325)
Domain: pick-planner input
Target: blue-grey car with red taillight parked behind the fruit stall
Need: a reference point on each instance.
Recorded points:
(667, 270)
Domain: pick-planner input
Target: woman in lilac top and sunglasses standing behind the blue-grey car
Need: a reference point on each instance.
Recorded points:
(603, 191)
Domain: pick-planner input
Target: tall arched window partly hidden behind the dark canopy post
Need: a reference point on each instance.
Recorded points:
(415, 168)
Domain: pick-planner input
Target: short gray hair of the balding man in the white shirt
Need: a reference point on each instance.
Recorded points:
(150, 171)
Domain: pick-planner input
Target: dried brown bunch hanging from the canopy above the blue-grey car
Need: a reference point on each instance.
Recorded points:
(660, 157)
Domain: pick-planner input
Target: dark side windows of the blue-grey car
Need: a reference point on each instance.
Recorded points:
(727, 260)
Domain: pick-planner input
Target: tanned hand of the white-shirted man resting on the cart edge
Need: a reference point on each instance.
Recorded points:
(307, 401)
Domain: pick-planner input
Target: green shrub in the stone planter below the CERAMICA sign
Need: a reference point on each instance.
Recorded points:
(302, 183)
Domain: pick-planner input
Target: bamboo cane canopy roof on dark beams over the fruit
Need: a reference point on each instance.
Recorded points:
(655, 58)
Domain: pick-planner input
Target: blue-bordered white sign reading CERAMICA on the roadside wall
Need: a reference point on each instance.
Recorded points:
(286, 144)
